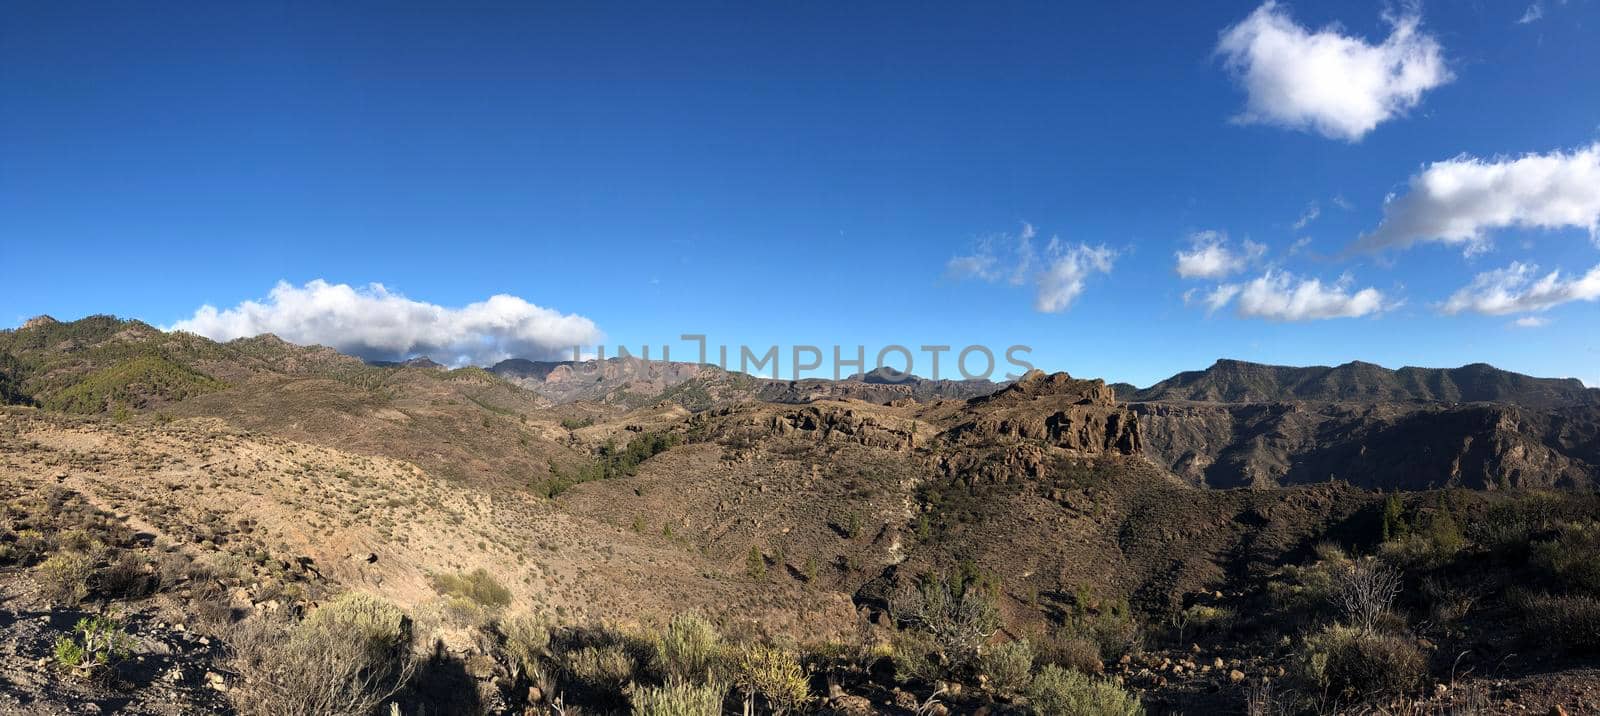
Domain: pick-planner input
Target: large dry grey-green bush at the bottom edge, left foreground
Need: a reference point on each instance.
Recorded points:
(345, 659)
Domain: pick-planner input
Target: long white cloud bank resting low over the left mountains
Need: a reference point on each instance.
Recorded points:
(377, 324)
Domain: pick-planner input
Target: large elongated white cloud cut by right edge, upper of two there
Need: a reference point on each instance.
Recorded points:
(1462, 201)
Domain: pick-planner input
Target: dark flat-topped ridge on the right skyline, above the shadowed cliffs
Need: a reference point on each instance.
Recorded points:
(1230, 381)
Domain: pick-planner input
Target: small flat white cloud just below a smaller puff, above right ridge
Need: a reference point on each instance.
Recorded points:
(1279, 296)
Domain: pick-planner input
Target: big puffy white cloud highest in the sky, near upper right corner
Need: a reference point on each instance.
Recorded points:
(1327, 82)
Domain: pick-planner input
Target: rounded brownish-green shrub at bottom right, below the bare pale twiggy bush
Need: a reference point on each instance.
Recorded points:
(1348, 664)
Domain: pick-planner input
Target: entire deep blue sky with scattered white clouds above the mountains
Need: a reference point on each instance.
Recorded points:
(818, 173)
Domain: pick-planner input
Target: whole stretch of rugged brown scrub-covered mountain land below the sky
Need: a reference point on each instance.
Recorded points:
(554, 536)
